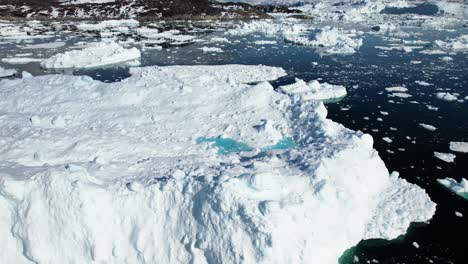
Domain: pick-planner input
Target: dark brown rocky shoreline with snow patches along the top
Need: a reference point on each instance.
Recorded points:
(138, 9)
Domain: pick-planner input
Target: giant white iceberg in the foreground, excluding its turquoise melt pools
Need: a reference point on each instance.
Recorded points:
(115, 173)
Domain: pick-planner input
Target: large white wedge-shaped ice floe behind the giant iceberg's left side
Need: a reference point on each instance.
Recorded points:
(95, 55)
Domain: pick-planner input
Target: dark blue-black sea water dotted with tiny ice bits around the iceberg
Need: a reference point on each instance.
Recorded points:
(366, 74)
